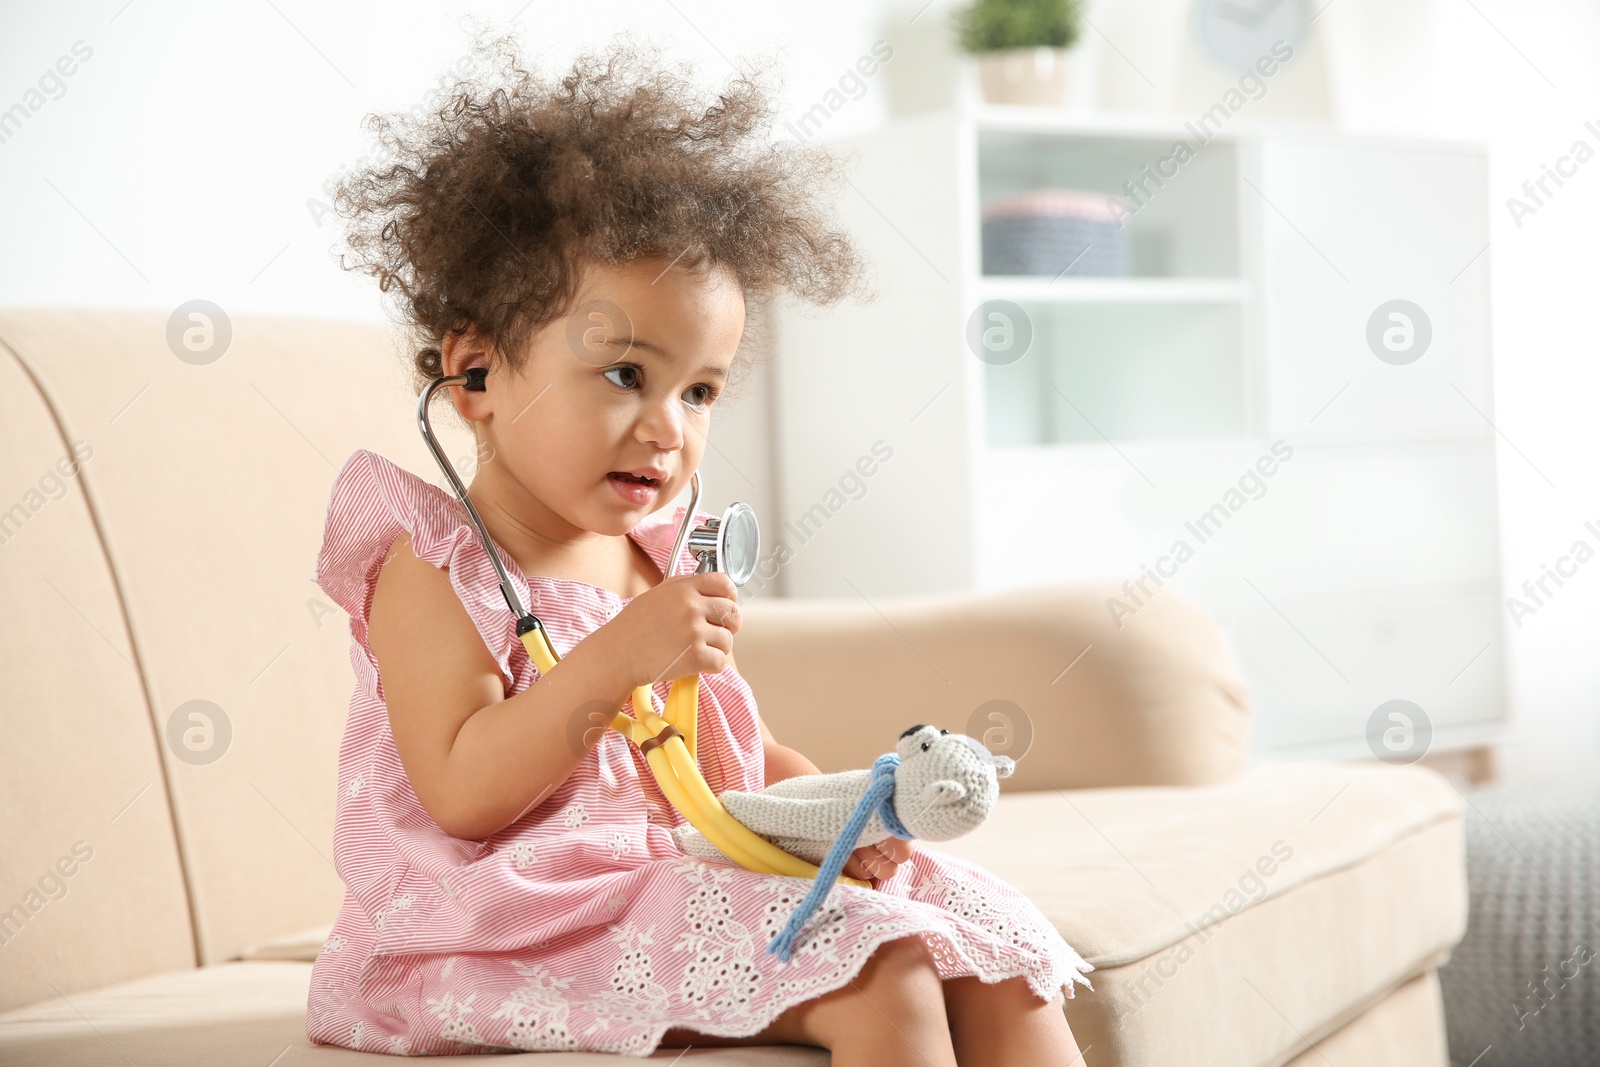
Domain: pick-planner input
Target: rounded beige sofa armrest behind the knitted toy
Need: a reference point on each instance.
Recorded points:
(1041, 674)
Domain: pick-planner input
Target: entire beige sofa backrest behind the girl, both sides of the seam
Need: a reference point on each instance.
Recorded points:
(174, 681)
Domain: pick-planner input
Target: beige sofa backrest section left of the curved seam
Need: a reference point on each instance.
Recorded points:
(87, 821)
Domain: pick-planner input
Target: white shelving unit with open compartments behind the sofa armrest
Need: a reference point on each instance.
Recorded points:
(1364, 569)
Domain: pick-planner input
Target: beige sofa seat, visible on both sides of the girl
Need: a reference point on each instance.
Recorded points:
(1266, 914)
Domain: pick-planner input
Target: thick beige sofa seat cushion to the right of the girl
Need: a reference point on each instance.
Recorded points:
(1257, 913)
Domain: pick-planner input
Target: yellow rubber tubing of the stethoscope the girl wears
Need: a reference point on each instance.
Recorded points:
(678, 773)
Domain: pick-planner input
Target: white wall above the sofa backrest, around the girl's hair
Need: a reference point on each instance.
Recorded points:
(186, 156)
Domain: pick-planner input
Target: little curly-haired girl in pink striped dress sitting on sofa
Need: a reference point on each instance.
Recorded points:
(598, 246)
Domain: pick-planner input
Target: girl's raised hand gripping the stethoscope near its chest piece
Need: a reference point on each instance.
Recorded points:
(681, 628)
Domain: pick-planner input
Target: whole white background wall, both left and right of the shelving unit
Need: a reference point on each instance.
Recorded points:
(180, 159)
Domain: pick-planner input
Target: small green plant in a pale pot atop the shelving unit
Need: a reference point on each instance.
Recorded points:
(1022, 49)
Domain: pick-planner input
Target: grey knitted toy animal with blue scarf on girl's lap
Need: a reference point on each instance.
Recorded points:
(935, 786)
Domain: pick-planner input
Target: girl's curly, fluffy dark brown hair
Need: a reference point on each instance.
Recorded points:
(484, 207)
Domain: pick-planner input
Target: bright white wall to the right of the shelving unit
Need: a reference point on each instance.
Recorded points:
(1524, 78)
